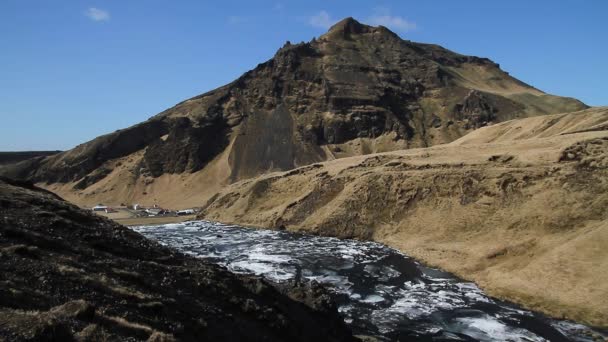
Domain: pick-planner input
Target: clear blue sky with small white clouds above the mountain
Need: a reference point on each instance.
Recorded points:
(74, 69)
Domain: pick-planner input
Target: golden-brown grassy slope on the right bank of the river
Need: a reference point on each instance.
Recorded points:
(519, 207)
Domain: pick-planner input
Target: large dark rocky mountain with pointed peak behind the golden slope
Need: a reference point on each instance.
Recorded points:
(355, 90)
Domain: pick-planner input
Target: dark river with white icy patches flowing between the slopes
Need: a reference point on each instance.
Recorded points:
(379, 290)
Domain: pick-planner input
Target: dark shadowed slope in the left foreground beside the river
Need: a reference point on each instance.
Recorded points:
(68, 275)
